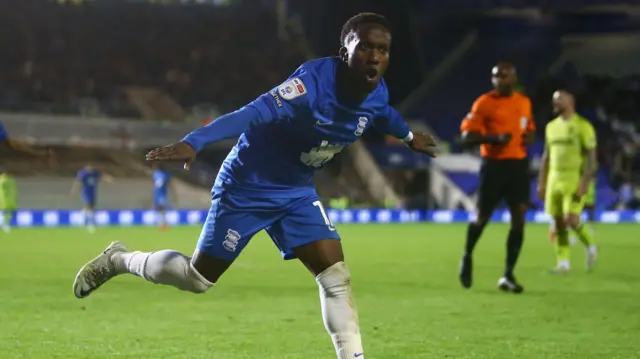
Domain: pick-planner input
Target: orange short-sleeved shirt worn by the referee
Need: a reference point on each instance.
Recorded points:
(494, 115)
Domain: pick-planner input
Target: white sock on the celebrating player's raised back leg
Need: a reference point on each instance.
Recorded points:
(163, 267)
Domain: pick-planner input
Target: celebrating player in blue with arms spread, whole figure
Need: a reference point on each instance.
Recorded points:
(266, 181)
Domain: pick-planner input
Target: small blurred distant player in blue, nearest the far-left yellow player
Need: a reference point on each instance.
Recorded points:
(86, 182)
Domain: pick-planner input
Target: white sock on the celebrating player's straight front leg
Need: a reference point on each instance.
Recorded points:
(339, 311)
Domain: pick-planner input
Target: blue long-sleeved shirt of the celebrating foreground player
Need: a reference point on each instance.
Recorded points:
(301, 125)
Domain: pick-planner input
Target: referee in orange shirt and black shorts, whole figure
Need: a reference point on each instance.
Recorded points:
(501, 122)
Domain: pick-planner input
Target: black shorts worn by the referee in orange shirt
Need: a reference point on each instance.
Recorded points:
(503, 180)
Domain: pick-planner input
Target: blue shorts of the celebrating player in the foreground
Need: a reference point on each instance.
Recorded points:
(290, 222)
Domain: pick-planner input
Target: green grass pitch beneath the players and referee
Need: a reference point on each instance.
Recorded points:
(405, 283)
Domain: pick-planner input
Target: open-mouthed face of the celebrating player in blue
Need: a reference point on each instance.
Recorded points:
(368, 54)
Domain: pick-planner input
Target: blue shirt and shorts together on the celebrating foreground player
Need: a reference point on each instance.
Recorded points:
(266, 181)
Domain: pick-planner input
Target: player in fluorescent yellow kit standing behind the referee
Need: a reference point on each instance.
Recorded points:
(567, 170)
